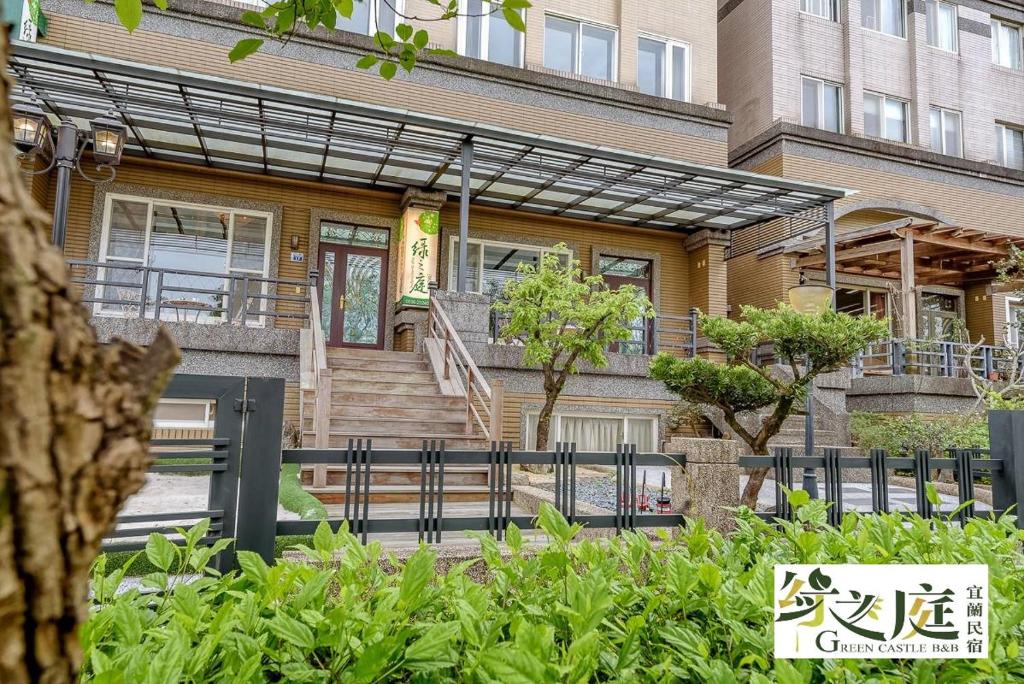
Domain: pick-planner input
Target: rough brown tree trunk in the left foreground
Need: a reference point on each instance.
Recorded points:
(75, 421)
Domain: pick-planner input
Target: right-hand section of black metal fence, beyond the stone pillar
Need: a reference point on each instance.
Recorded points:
(1003, 466)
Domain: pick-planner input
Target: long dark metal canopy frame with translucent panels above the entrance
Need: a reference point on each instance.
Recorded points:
(186, 117)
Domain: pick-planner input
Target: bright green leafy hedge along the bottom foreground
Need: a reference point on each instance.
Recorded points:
(693, 609)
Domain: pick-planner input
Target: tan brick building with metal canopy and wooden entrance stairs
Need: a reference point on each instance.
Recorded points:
(599, 129)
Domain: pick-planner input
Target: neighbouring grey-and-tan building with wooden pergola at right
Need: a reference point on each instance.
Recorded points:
(916, 105)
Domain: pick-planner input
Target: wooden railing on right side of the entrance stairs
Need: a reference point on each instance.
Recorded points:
(460, 376)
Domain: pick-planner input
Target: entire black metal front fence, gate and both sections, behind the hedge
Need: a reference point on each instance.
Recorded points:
(243, 458)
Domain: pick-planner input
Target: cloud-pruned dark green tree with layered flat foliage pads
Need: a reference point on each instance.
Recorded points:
(827, 340)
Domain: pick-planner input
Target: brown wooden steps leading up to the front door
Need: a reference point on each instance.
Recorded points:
(394, 399)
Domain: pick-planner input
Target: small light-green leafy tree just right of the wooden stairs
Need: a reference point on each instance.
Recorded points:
(563, 319)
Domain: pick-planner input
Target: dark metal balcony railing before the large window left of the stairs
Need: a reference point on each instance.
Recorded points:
(135, 291)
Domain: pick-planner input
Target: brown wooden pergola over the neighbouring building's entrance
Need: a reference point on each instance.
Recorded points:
(914, 253)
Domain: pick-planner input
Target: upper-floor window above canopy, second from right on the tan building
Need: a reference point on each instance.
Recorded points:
(579, 48)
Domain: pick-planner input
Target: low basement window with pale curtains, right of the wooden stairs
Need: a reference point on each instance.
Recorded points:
(598, 433)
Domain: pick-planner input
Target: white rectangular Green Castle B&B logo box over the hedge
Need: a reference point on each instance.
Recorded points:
(871, 612)
